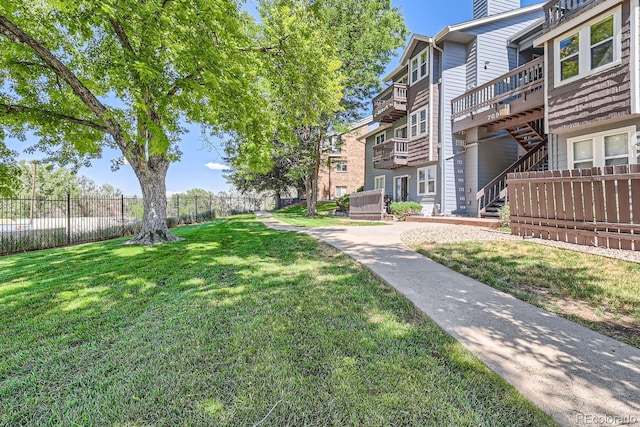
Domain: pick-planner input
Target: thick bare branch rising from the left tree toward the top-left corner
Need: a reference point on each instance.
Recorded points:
(15, 34)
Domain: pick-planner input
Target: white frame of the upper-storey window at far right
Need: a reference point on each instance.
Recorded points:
(584, 47)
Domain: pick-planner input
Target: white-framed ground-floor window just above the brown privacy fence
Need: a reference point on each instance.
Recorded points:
(602, 149)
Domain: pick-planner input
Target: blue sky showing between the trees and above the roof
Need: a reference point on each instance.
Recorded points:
(202, 163)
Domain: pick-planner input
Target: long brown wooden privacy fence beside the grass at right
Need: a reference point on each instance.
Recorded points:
(595, 207)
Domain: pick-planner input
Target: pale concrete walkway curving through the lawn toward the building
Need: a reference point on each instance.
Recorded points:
(577, 376)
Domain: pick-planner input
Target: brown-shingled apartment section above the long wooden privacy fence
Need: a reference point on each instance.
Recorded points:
(592, 98)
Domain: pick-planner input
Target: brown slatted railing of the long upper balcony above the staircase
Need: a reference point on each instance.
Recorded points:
(516, 83)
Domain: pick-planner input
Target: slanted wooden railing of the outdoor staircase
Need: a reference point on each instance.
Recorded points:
(497, 189)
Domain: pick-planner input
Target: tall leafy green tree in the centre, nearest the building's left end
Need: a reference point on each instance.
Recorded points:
(360, 36)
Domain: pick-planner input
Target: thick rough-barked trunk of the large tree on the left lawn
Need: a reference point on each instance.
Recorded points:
(152, 177)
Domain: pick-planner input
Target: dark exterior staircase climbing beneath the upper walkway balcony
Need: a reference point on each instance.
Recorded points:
(494, 195)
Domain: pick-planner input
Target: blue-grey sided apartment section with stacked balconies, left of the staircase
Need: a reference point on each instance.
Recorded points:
(419, 152)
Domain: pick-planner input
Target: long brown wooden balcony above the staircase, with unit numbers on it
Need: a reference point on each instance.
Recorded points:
(512, 99)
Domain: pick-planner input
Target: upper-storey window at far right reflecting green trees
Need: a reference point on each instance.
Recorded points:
(591, 48)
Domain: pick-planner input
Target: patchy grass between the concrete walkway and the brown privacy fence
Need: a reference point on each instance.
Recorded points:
(601, 293)
